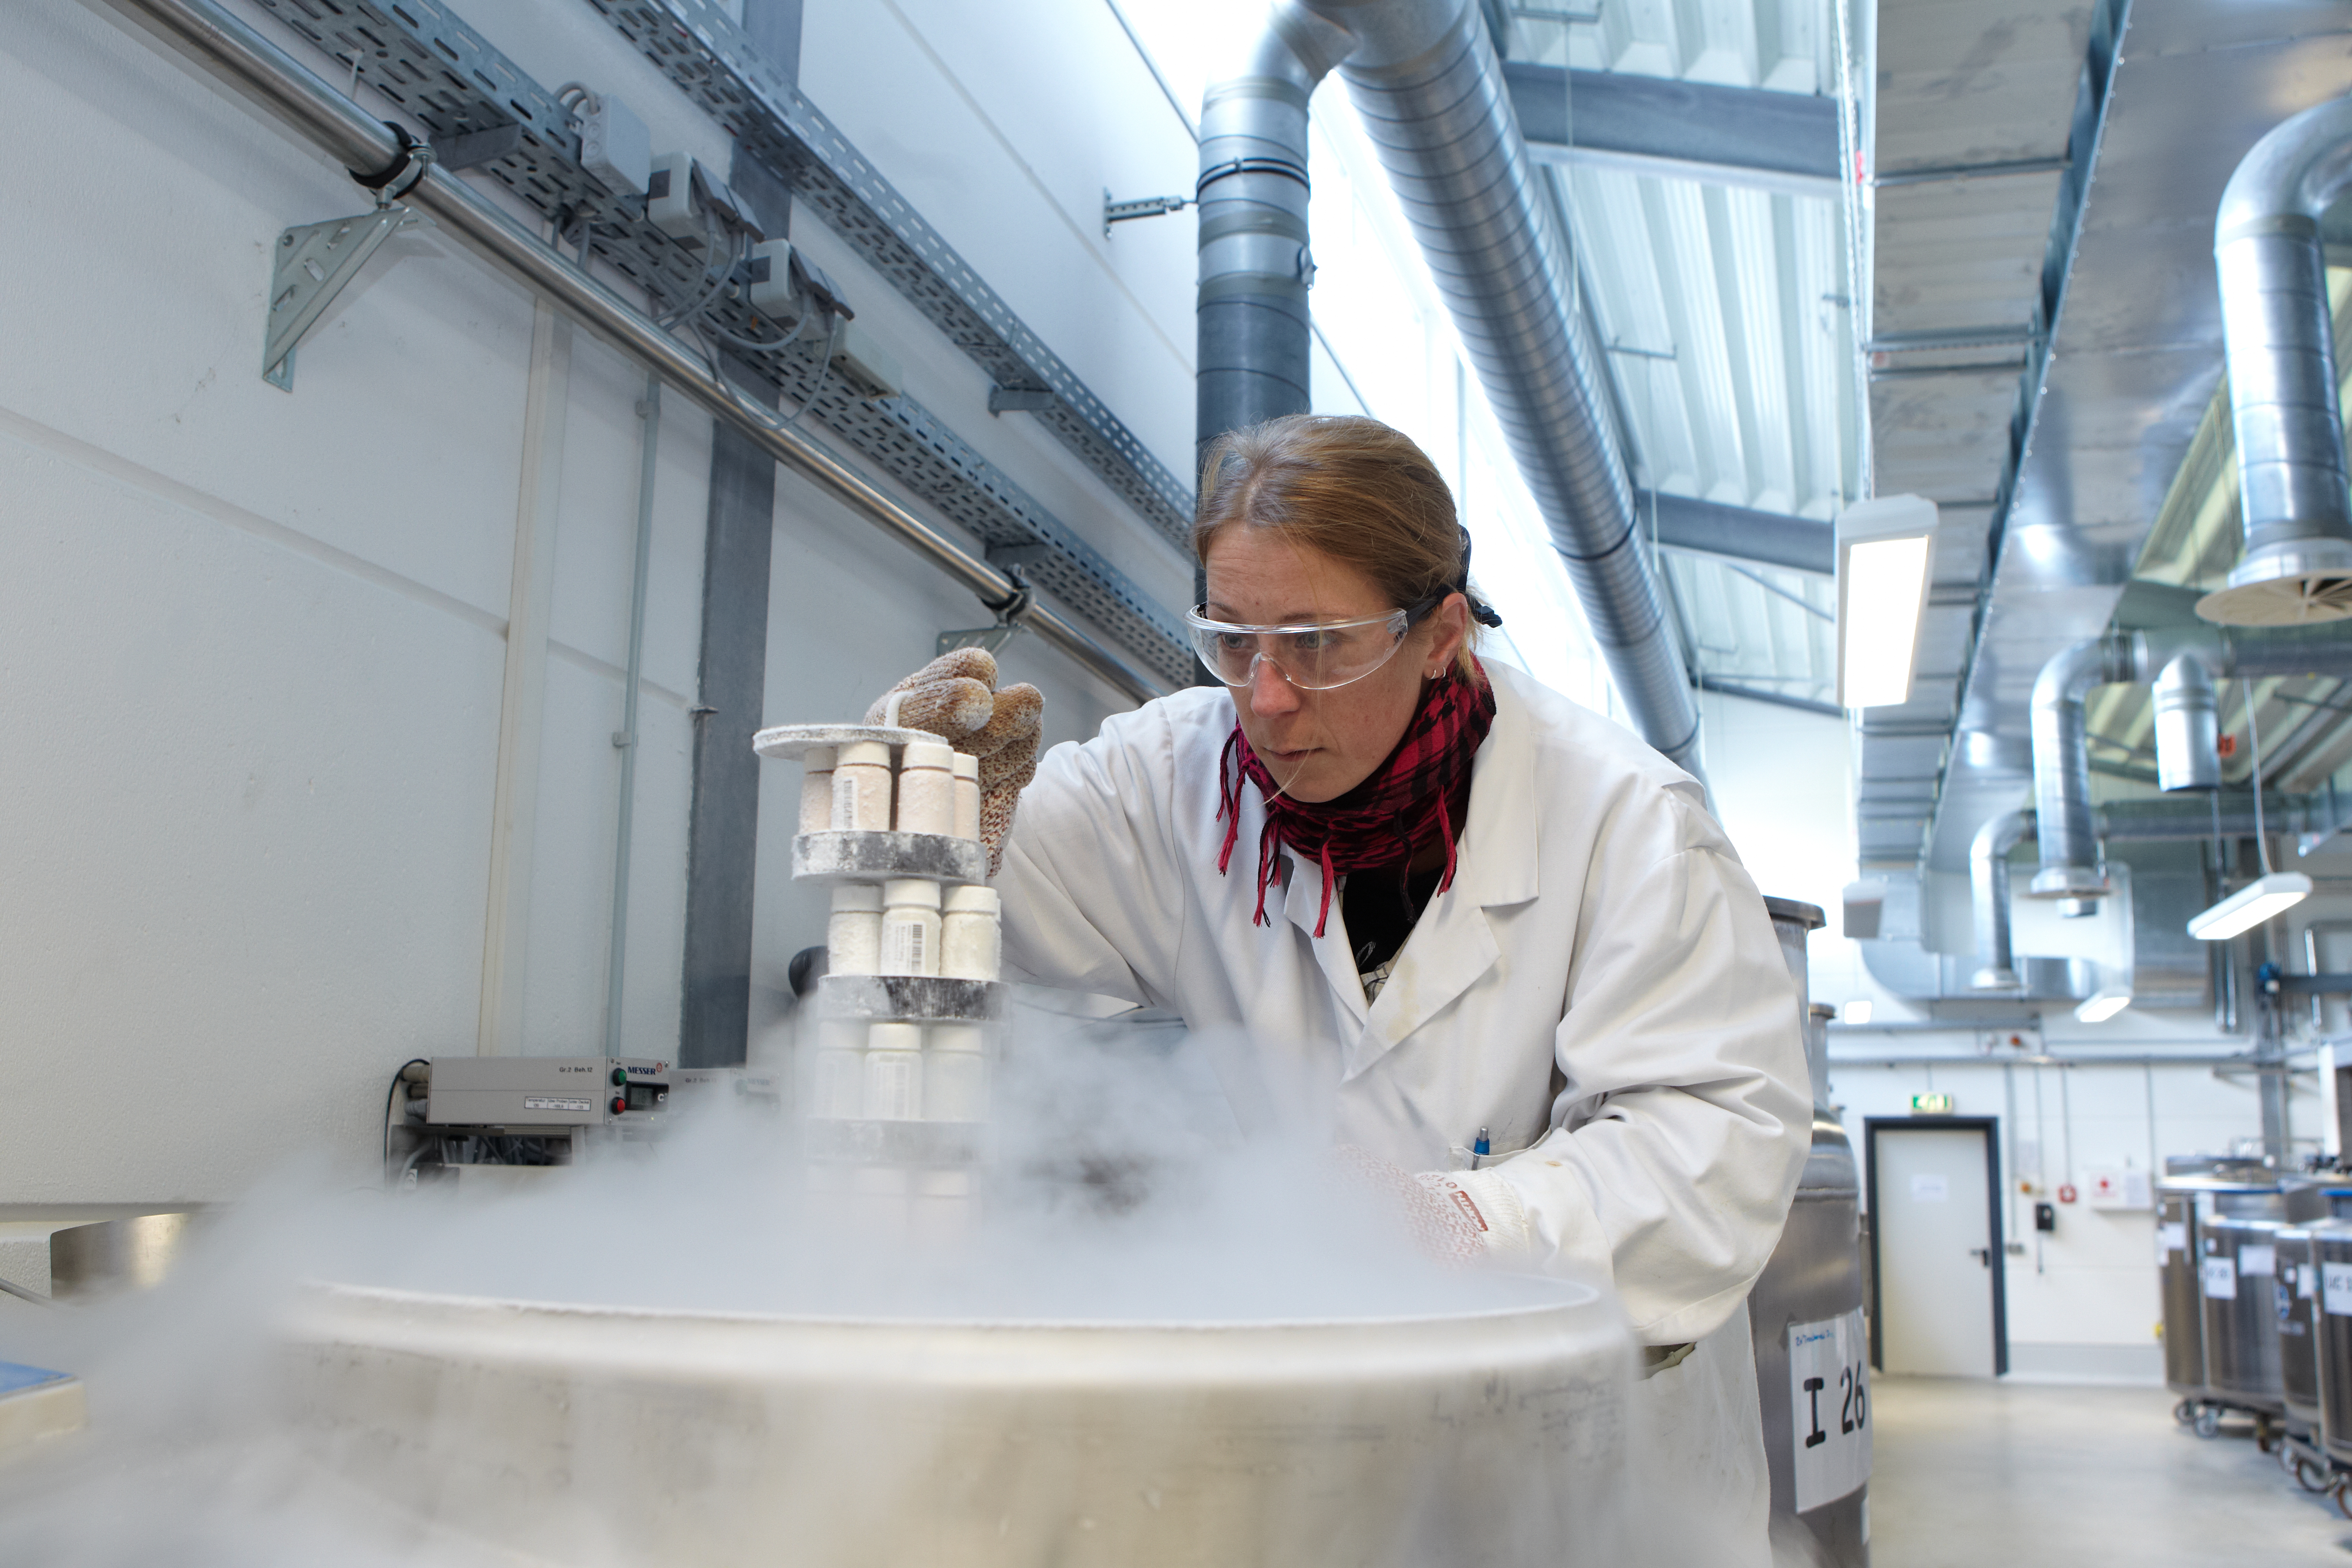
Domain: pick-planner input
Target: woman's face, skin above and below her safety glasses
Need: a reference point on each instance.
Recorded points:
(1321, 744)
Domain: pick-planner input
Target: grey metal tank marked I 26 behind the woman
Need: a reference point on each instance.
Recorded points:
(1808, 1322)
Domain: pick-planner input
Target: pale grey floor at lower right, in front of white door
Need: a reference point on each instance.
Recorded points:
(2000, 1475)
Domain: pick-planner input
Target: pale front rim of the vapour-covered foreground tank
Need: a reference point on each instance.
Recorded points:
(514, 1306)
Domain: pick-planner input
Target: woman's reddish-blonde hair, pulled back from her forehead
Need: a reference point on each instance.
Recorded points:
(1351, 490)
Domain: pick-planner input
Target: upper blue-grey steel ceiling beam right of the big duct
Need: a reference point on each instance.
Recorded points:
(1683, 130)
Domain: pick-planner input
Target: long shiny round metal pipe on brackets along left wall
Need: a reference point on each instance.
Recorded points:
(267, 74)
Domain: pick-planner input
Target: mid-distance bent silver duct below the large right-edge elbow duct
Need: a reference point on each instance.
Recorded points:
(2064, 758)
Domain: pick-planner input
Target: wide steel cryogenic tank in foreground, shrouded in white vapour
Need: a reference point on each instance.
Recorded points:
(700, 1438)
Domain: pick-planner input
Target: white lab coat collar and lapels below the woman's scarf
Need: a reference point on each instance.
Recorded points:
(1452, 944)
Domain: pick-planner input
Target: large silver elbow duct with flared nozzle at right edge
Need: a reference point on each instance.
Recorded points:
(2283, 375)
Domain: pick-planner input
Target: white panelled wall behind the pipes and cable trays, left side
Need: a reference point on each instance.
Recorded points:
(253, 643)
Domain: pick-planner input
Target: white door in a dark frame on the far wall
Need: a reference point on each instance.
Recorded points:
(1935, 1235)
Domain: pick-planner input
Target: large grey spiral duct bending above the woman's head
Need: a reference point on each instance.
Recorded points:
(1431, 91)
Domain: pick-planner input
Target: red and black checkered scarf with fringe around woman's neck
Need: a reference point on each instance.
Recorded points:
(1422, 786)
